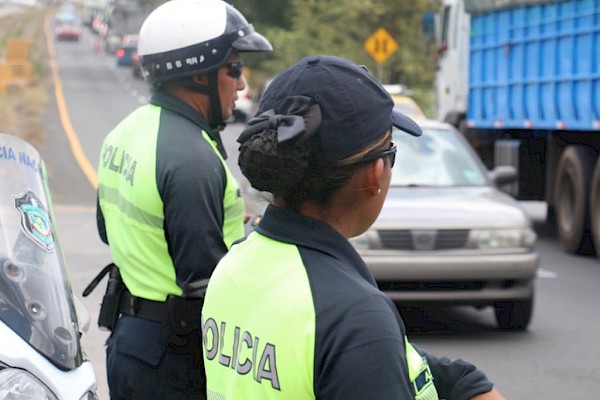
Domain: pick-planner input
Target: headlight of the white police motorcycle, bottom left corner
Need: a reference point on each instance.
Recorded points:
(16, 384)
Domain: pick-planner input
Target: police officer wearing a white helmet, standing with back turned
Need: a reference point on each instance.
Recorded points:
(168, 206)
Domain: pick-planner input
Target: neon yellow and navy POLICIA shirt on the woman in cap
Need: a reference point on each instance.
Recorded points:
(293, 313)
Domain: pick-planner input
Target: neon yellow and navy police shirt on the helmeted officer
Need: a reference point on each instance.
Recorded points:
(167, 200)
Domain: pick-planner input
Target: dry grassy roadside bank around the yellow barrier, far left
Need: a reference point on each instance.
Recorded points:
(22, 105)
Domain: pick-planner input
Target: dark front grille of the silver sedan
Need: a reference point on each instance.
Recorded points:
(424, 240)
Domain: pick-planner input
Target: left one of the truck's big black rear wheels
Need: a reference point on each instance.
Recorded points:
(571, 197)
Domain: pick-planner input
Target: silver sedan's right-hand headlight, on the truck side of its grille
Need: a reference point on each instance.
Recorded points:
(502, 238)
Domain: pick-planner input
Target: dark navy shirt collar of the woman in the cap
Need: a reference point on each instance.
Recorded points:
(289, 226)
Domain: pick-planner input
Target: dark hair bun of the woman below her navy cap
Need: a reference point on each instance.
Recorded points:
(271, 166)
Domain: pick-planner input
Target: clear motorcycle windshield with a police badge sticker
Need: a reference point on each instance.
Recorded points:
(36, 300)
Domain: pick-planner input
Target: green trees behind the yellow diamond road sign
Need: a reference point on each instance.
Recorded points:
(298, 28)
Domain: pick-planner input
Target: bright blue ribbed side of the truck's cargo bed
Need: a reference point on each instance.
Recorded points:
(536, 66)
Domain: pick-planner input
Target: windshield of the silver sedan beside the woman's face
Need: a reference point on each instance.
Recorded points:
(438, 158)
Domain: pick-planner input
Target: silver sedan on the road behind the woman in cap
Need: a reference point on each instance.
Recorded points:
(448, 235)
